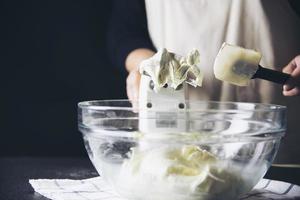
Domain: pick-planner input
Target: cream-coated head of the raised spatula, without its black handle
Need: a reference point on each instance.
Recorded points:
(236, 65)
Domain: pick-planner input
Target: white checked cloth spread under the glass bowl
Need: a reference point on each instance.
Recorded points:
(97, 189)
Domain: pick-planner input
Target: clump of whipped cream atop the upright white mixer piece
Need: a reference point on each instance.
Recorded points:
(169, 68)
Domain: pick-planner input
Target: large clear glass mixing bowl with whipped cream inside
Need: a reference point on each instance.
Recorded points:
(196, 150)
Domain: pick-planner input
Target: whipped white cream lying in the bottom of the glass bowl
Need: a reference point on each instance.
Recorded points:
(185, 172)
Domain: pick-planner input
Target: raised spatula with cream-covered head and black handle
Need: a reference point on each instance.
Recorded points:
(238, 66)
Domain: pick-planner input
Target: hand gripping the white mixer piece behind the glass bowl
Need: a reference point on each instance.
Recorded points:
(133, 61)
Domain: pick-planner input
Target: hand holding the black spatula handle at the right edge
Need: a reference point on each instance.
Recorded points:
(292, 87)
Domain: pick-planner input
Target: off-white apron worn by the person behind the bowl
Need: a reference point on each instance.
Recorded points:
(269, 26)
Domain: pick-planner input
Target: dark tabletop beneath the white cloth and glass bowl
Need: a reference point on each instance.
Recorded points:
(16, 171)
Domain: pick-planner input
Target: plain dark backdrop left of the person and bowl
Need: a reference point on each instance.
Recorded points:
(53, 55)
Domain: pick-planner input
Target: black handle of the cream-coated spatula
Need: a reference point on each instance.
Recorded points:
(271, 75)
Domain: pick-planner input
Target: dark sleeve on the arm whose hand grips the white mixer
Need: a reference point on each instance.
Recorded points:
(127, 30)
